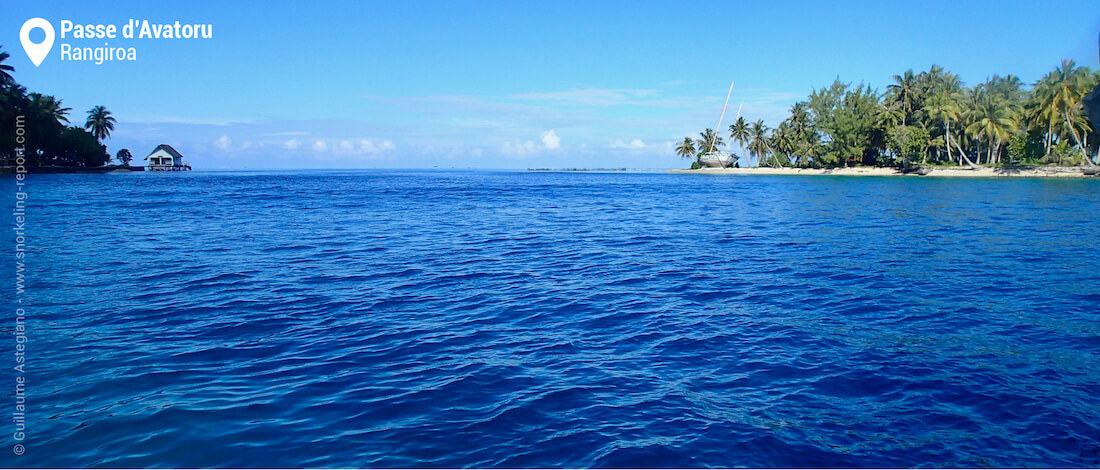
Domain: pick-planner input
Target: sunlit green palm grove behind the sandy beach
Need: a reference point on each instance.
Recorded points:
(928, 118)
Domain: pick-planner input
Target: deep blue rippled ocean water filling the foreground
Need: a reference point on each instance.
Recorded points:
(390, 319)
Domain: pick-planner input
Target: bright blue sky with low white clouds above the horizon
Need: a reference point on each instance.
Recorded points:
(508, 84)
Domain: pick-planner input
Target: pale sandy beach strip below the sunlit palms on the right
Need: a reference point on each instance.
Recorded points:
(954, 172)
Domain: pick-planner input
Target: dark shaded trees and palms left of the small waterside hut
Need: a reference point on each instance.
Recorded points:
(49, 139)
